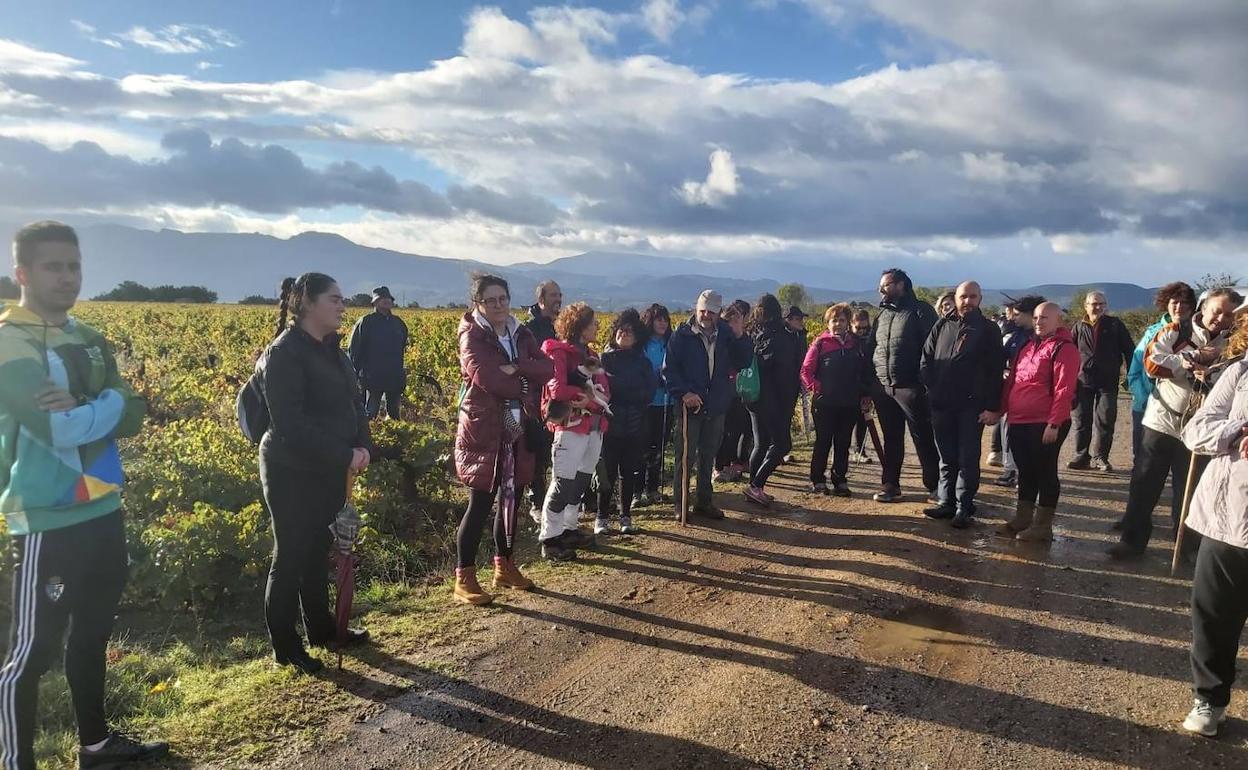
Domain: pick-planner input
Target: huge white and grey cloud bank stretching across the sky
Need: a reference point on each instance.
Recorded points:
(1029, 127)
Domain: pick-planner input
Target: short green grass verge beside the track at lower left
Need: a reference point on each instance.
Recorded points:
(219, 698)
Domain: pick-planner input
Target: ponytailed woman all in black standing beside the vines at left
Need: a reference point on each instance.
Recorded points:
(318, 434)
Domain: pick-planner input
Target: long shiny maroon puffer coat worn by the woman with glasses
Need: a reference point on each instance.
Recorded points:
(480, 435)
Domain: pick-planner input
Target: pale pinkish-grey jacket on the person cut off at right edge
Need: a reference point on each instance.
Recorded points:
(1220, 509)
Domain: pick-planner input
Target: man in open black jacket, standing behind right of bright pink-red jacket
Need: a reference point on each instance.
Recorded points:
(1105, 348)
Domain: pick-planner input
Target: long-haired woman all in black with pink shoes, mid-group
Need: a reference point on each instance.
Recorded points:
(779, 354)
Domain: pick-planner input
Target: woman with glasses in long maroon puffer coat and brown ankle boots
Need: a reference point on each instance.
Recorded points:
(504, 374)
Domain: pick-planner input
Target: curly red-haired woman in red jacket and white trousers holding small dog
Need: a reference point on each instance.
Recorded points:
(576, 402)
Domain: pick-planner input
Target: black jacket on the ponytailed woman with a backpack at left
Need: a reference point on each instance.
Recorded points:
(318, 416)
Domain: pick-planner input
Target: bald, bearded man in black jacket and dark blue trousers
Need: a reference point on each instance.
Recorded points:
(962, 369)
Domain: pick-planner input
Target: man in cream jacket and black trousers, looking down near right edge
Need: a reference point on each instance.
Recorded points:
(1180, 359)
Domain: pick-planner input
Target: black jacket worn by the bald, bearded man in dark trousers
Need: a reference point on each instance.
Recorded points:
(964, 363)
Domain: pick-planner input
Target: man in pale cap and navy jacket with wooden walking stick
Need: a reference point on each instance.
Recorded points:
(702, 355)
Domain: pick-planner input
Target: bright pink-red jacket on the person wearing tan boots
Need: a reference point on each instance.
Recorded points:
(1041, 390)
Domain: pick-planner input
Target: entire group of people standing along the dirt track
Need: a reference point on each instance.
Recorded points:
(544, 415)
